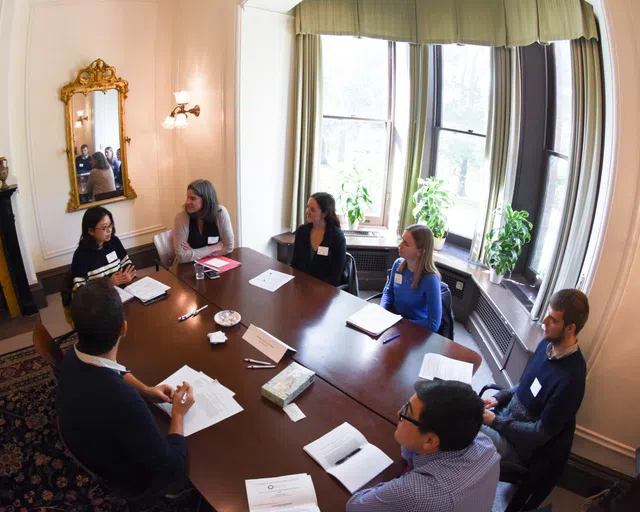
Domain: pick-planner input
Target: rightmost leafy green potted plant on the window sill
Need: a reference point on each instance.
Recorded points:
(504, 243)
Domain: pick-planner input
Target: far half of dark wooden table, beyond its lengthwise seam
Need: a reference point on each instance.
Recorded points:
(310, 316)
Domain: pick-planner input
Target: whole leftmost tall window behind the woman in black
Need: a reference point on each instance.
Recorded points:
(357, 123)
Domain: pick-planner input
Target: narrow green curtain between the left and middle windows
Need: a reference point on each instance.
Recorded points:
(419, 76)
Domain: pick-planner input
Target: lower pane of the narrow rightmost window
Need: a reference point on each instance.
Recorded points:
(551, 217)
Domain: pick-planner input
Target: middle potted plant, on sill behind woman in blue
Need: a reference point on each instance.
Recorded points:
(432, 201)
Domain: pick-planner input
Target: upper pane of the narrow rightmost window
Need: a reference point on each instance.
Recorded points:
(564, 98)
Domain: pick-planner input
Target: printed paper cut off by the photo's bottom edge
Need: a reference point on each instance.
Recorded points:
(292, 493)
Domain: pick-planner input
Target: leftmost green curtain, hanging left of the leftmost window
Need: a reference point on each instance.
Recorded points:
(308, 123)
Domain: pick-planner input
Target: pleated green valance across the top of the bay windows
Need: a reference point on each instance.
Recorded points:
(481, 22)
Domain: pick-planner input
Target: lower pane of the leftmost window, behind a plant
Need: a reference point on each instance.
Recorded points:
(346, 143)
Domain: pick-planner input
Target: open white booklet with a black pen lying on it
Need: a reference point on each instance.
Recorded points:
(346, 454)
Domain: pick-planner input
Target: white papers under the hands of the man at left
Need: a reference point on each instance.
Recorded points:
(213, 401)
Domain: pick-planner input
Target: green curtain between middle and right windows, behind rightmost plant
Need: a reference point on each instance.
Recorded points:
(497, 147)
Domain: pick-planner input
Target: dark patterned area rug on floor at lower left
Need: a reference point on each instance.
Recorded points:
(36, 472)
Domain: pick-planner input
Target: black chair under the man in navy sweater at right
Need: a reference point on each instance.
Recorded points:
(537, 479)
